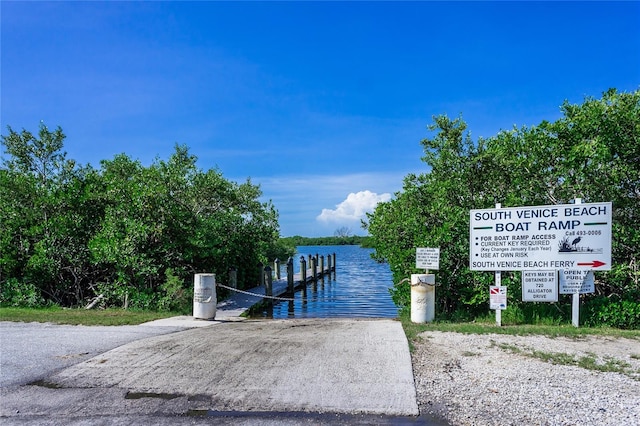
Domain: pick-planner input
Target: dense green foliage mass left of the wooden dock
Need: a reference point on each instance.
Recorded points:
(133, 234)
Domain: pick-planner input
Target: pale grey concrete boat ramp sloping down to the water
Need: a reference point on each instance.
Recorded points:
(233, 371)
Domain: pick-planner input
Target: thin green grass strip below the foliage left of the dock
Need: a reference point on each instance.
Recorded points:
(81, 316)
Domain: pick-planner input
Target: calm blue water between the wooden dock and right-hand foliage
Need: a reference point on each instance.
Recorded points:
(359, 287)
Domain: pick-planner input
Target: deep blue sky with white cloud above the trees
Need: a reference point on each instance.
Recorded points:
(321, 104)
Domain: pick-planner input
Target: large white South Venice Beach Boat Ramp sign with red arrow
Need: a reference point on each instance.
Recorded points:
(563, 236)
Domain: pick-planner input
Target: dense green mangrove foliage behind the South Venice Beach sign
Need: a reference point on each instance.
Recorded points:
(592, 153)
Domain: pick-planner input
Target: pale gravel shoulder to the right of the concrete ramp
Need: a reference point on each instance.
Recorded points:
(501, 380)
